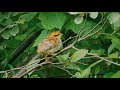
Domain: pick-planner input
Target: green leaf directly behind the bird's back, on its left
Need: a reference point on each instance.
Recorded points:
(43, 34)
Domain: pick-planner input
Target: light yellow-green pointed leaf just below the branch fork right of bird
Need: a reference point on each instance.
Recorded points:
(78, 55)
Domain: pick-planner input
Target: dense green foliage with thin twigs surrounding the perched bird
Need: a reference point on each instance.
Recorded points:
(91, 43)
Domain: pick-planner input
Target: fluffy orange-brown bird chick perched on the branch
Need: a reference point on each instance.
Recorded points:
(51, 44)
